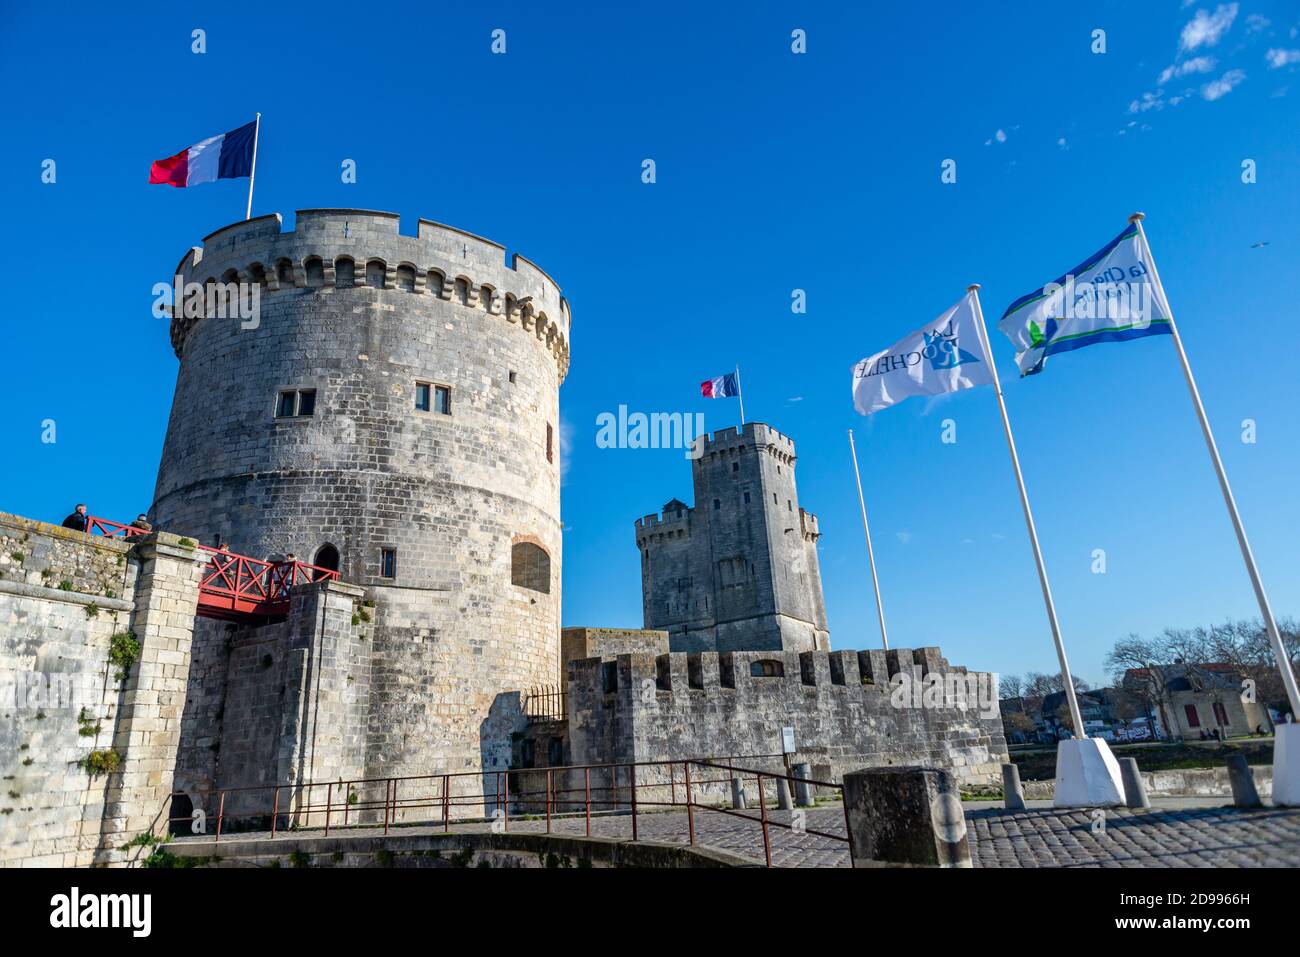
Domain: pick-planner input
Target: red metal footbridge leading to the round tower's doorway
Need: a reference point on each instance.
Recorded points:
(235, 588)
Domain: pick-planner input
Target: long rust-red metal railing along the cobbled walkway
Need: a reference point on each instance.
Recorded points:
(573, 795)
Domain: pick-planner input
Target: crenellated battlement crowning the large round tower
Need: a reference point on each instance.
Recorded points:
(332, 250)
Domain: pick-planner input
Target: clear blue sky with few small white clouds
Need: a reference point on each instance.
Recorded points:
(775, 172)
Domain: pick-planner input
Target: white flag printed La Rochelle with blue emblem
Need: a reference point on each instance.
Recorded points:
(942, 357)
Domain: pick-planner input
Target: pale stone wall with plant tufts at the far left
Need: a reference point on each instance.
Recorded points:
(63, 597)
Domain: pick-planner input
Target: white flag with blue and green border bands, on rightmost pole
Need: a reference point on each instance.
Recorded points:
(1111, 297)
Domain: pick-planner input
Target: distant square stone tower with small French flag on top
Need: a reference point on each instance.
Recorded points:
(739, 571)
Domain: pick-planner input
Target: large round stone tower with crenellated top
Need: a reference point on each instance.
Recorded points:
(391, 409)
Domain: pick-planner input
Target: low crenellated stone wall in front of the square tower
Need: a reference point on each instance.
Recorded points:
(843, 705)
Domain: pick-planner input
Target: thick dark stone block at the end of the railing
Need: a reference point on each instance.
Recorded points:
(905, 817)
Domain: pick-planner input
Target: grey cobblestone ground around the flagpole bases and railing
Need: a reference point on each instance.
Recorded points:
(1037, 838)
